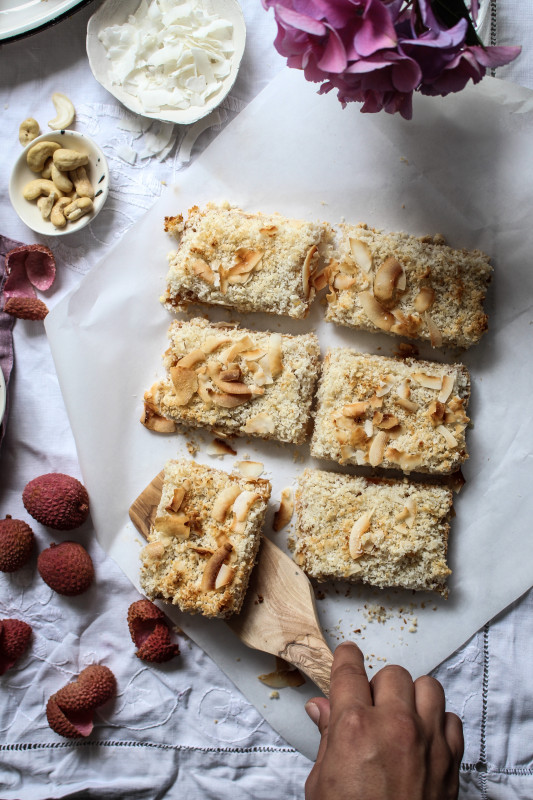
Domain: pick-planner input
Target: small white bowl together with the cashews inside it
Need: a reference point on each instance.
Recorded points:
(59, 183)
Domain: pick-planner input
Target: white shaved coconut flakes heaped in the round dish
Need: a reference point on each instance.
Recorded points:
(170, 55)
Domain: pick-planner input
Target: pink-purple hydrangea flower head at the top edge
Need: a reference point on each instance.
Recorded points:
(378, 52)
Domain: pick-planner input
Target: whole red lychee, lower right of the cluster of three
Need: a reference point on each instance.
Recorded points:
(67, 568)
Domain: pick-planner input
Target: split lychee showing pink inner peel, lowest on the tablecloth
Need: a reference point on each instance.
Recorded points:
(70, 711)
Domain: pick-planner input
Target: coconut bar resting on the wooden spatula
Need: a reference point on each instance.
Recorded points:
(204, 539)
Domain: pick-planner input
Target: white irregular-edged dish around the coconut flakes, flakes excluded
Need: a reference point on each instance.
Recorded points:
(116, 12)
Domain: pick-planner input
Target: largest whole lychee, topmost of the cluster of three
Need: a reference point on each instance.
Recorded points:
(57, 500)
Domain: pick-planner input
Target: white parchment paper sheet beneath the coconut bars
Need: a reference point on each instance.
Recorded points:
(463, 167)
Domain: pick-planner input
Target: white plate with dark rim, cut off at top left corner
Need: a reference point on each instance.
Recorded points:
(20, 18)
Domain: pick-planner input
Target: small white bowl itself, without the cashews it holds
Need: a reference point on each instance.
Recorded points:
(97, 171)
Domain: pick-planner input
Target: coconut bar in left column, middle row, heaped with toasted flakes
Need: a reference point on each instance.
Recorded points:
(235, 382)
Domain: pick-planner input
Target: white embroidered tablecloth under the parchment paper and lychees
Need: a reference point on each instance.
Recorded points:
(181, 727)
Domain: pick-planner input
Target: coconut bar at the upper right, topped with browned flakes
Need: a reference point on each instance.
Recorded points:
(403, 285)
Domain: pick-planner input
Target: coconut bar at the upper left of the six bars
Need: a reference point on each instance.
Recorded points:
(249, 262)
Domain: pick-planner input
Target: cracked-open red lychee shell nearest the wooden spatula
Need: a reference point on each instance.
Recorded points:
(150, 633)
